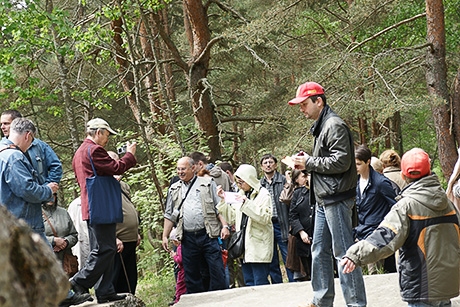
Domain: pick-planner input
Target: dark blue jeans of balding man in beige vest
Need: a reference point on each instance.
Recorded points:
(201, 254)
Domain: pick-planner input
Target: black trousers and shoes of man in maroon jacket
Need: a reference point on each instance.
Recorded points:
(97, 271)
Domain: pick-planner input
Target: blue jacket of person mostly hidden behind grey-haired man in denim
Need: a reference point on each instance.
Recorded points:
(45, 162)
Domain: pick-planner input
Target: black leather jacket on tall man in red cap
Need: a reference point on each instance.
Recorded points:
(332, 164)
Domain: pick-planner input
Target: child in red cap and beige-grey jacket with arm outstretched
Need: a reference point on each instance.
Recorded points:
(423, 225)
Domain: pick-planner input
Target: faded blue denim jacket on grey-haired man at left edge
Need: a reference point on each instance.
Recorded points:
(21, 193)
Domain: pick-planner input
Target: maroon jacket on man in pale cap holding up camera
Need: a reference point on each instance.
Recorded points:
(104, 165)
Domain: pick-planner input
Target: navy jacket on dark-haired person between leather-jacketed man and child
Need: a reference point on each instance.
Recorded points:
(373, 203)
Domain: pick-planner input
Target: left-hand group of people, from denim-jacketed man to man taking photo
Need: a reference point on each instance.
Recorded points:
(30, 173)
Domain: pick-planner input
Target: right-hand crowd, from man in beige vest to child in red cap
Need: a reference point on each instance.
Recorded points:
(333, 214)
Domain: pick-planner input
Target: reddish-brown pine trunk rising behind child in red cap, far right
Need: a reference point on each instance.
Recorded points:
(436, 79)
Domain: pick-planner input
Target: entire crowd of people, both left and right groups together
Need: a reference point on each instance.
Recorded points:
(332, 214)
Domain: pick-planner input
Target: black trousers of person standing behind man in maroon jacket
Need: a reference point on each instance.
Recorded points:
(130, 263)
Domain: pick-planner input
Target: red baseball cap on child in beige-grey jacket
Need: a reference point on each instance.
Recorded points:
(415, 160)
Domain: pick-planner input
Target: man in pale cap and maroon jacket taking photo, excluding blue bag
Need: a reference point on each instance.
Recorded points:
(97, 270)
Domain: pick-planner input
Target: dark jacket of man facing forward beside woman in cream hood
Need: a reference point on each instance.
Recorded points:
(282, 210)
